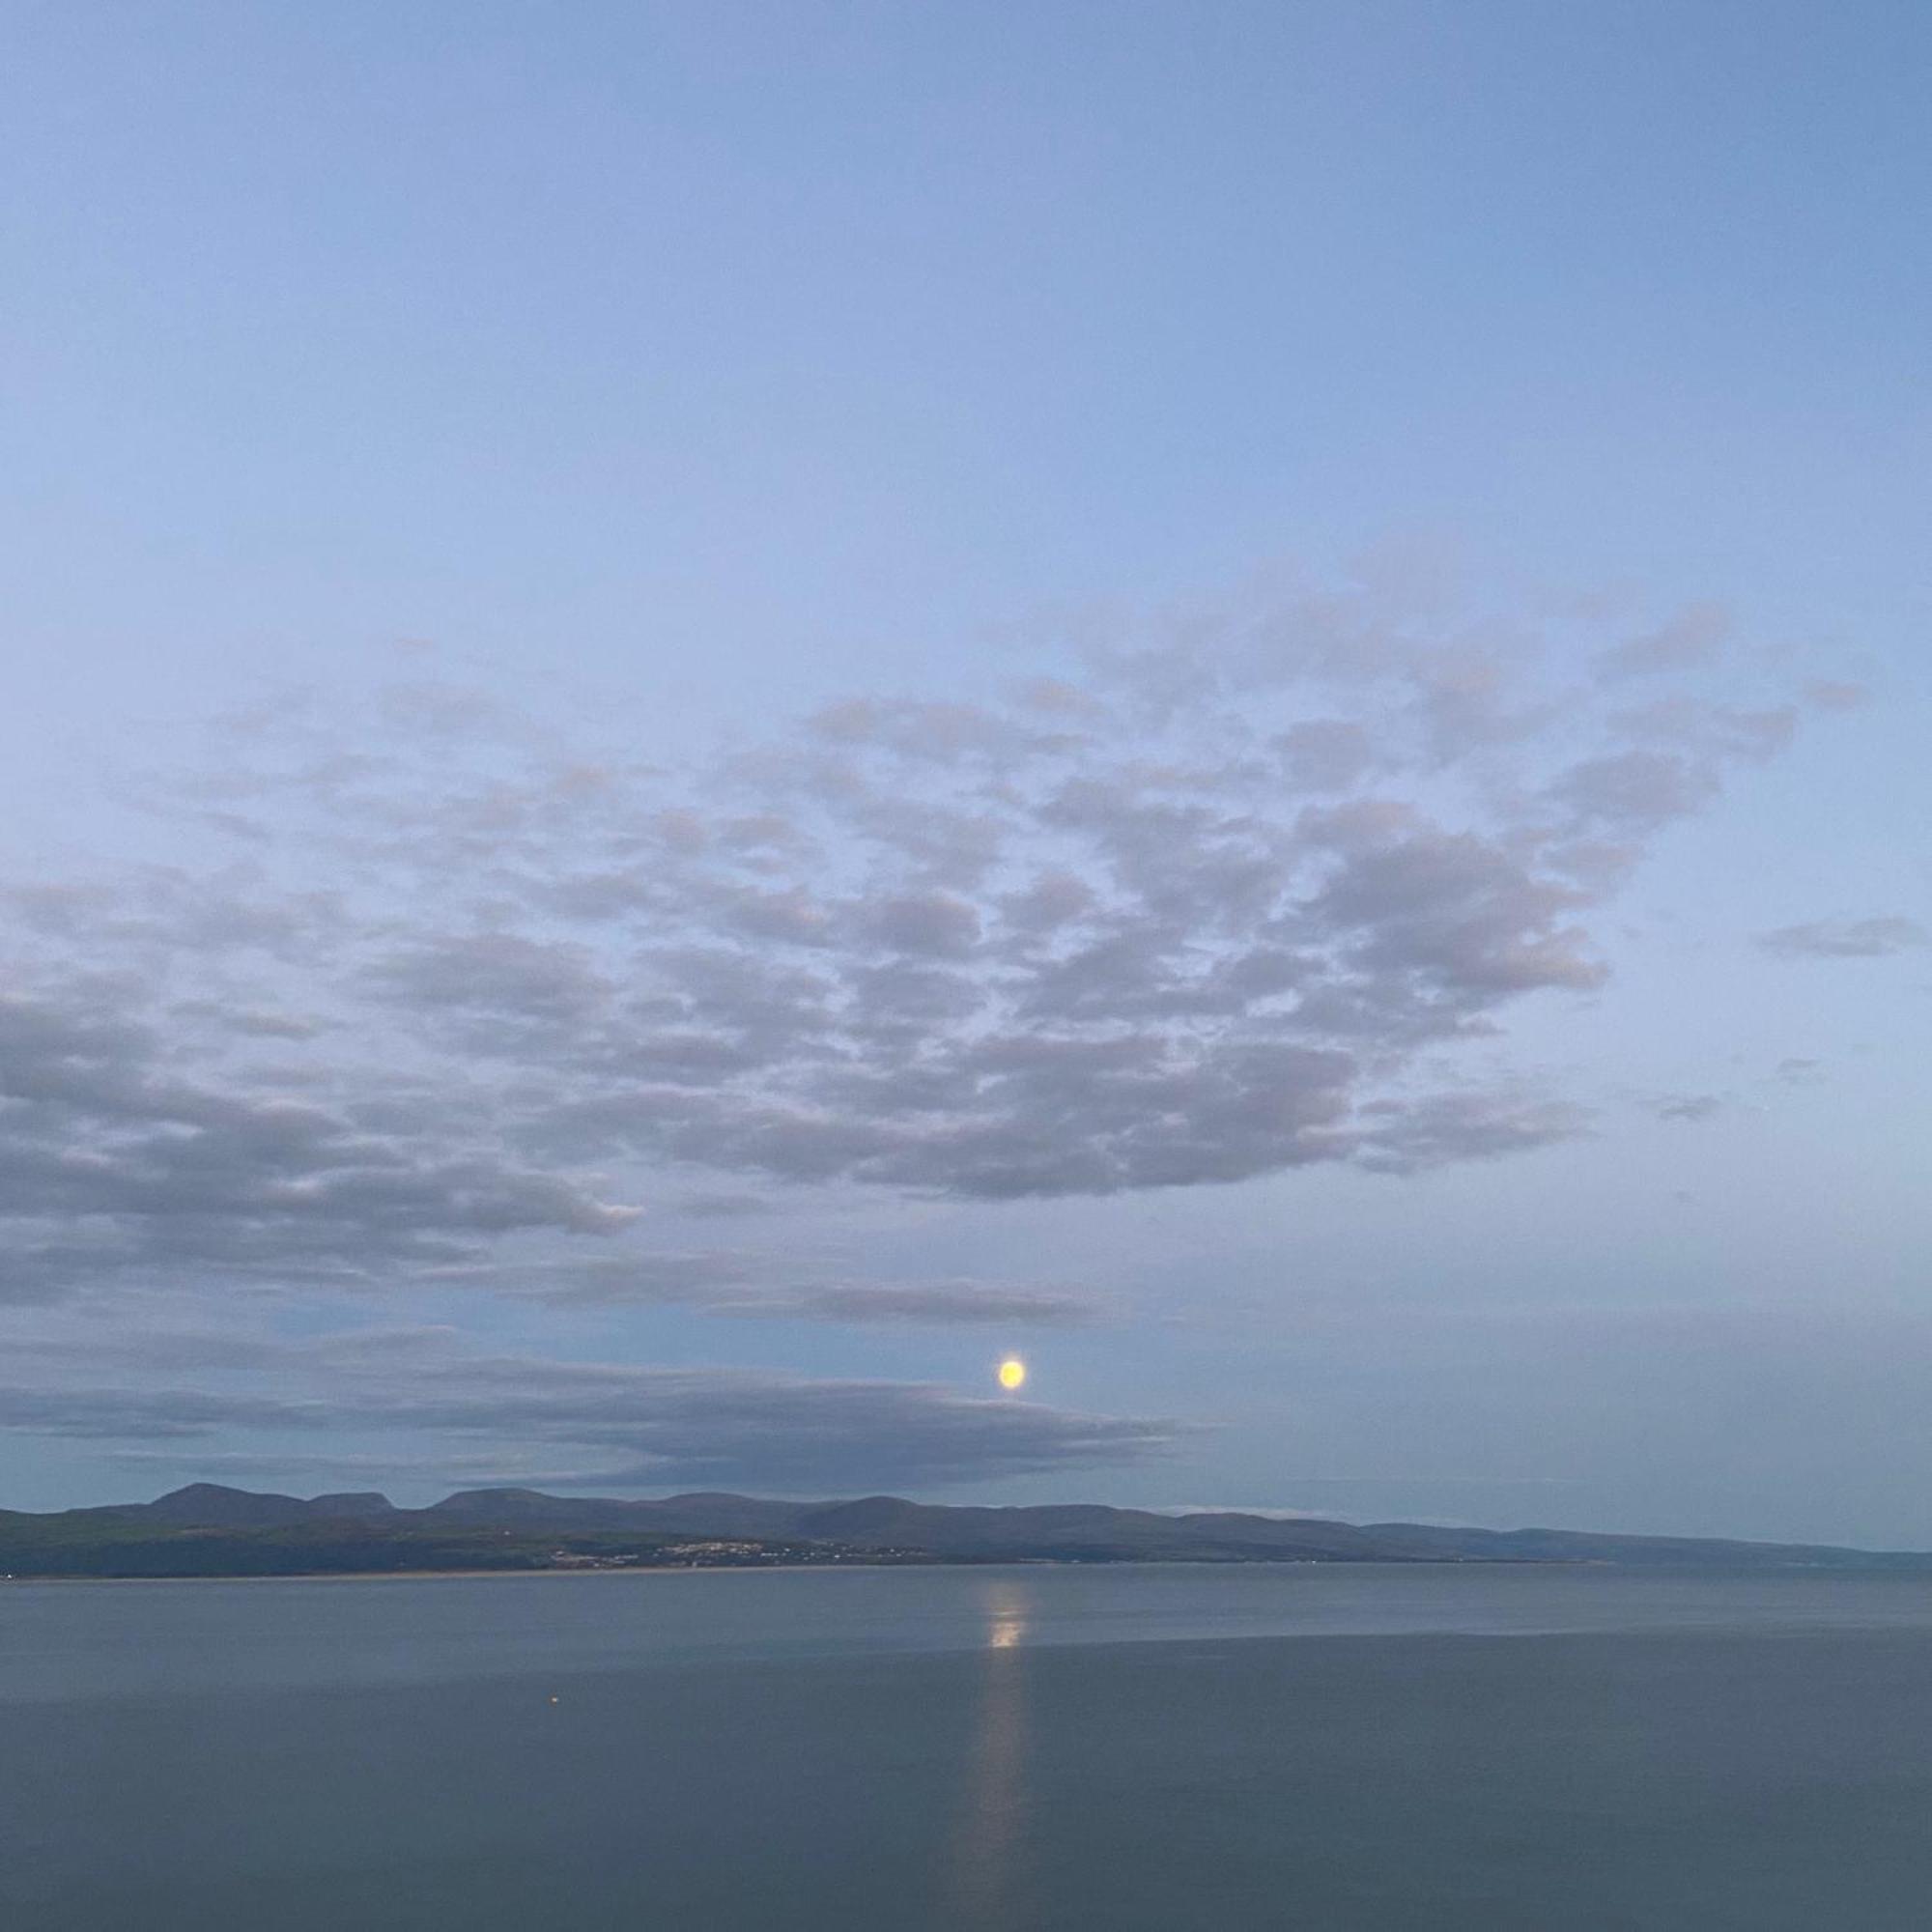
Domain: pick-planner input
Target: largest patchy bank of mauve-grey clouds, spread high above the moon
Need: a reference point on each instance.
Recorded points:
(1212, 901)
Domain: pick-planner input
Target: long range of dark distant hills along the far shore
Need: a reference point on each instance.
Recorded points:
(212, 1531)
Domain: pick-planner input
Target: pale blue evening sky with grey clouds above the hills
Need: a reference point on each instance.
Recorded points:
(718, 712)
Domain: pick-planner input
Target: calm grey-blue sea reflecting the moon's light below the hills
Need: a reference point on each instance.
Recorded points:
(1106, 1749)
